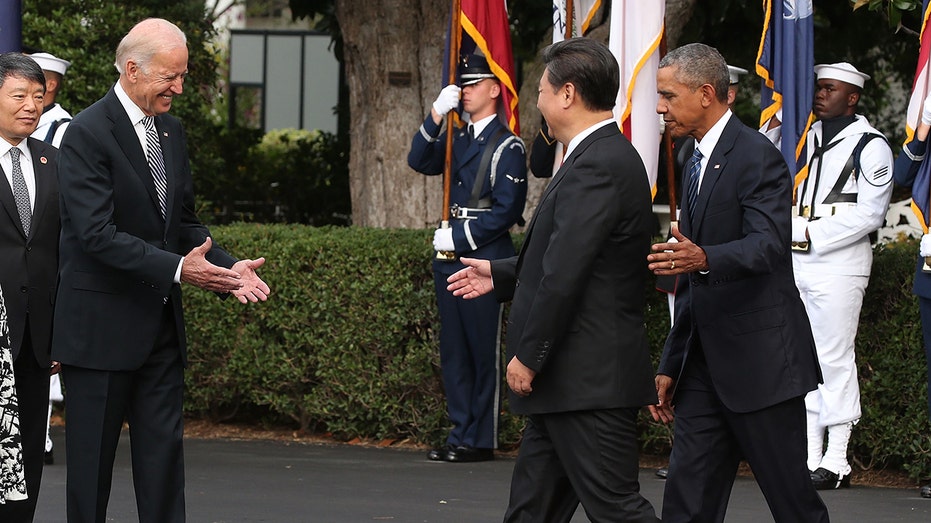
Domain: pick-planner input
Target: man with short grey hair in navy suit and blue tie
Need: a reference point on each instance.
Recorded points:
(740, 356)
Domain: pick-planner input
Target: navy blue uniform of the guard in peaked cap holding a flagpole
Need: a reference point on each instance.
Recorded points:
(469, 336)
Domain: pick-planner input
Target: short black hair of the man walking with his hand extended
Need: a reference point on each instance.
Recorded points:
(589, 66)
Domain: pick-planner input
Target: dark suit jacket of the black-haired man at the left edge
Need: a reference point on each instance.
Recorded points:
(30, 265)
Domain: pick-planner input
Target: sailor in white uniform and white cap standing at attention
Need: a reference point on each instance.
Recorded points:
(841, 202)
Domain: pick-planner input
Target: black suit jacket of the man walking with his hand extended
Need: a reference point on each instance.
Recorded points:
(579, 283)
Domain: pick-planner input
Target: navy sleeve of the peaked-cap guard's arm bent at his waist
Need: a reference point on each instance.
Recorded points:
(508, 196)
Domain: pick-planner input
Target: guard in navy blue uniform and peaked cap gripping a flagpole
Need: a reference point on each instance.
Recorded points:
(488, 191)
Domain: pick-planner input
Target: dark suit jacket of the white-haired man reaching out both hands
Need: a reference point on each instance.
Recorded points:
(118, 256)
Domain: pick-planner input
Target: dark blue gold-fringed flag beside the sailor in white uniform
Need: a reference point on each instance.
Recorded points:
(785, 61)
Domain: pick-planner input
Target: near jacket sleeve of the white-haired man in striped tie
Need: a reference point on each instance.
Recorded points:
(86, 188)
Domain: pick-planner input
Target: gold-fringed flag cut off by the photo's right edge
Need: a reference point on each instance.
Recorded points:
(921, 188)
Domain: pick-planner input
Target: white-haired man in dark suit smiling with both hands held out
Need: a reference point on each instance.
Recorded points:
(129, 238)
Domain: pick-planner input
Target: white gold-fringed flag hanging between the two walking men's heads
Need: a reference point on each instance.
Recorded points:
(635, 34)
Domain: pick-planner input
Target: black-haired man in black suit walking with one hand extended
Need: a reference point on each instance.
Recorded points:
(578, 362)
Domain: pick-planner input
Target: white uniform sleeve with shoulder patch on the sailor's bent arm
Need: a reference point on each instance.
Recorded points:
(874, 190)
